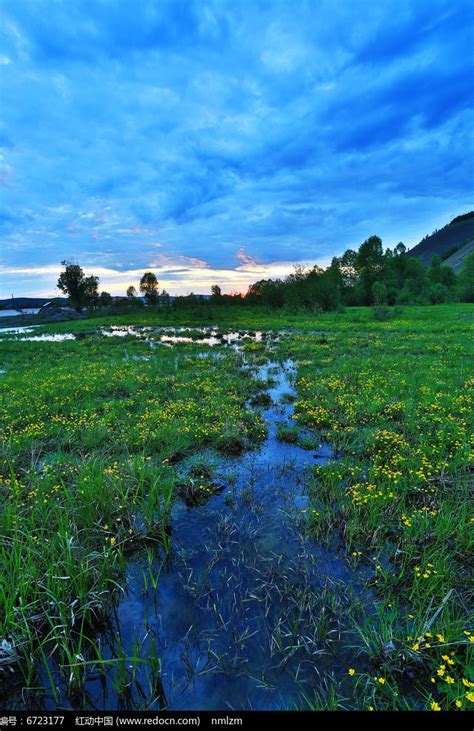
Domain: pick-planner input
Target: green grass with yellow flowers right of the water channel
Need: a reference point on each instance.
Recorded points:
(396, 402)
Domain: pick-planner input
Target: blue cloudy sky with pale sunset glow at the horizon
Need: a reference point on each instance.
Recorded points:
(222, 142)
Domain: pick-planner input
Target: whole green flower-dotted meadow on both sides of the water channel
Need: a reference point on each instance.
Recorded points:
(93, 431)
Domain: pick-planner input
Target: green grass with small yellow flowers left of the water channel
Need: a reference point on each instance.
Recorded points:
(91, 436)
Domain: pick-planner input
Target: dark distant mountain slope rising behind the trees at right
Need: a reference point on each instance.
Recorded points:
(452, 243)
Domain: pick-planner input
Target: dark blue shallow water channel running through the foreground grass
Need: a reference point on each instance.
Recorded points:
(248, 610)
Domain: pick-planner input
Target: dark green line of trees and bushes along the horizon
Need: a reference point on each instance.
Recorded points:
(368, 276)
